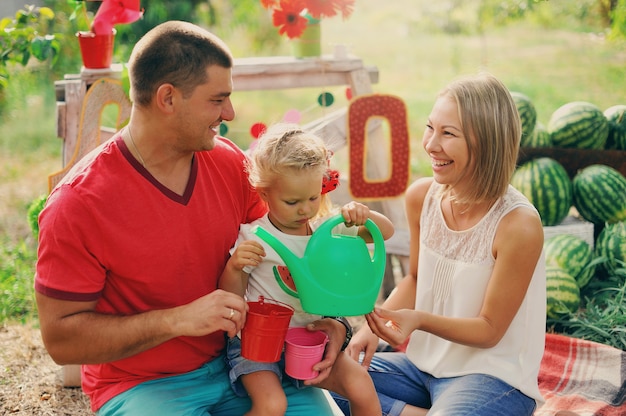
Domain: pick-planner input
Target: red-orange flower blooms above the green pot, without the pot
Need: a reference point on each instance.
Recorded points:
(291, 17)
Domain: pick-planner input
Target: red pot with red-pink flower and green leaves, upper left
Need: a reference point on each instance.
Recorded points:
(97, 39)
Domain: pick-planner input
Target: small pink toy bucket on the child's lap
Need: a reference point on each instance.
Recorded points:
(303, 349)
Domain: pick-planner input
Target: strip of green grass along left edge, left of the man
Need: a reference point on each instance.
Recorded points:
(29, 151)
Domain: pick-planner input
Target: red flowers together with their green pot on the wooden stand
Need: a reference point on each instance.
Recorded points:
(299, 20)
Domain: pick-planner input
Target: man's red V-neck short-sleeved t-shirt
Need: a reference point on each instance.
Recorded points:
(111, 233)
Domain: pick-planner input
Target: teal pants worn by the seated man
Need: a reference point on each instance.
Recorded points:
(205, 391)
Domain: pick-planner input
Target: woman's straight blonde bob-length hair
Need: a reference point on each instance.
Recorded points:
(492, 130)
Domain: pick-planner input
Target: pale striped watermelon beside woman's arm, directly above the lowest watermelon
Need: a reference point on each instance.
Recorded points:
(572, 254)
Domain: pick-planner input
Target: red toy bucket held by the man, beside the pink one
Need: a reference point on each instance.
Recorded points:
(263, 335)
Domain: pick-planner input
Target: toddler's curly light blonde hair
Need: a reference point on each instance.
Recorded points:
(284, 148)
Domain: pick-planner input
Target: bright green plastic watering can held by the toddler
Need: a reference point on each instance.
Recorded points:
(337, 275)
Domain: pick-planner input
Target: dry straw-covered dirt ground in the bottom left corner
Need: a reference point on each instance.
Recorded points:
(30, 382)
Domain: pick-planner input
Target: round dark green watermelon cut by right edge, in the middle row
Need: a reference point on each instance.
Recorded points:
(600, 194)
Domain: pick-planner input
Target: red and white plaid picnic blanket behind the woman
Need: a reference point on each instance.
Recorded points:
(583, 377)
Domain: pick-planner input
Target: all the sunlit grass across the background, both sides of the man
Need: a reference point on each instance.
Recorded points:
(551, 60)
